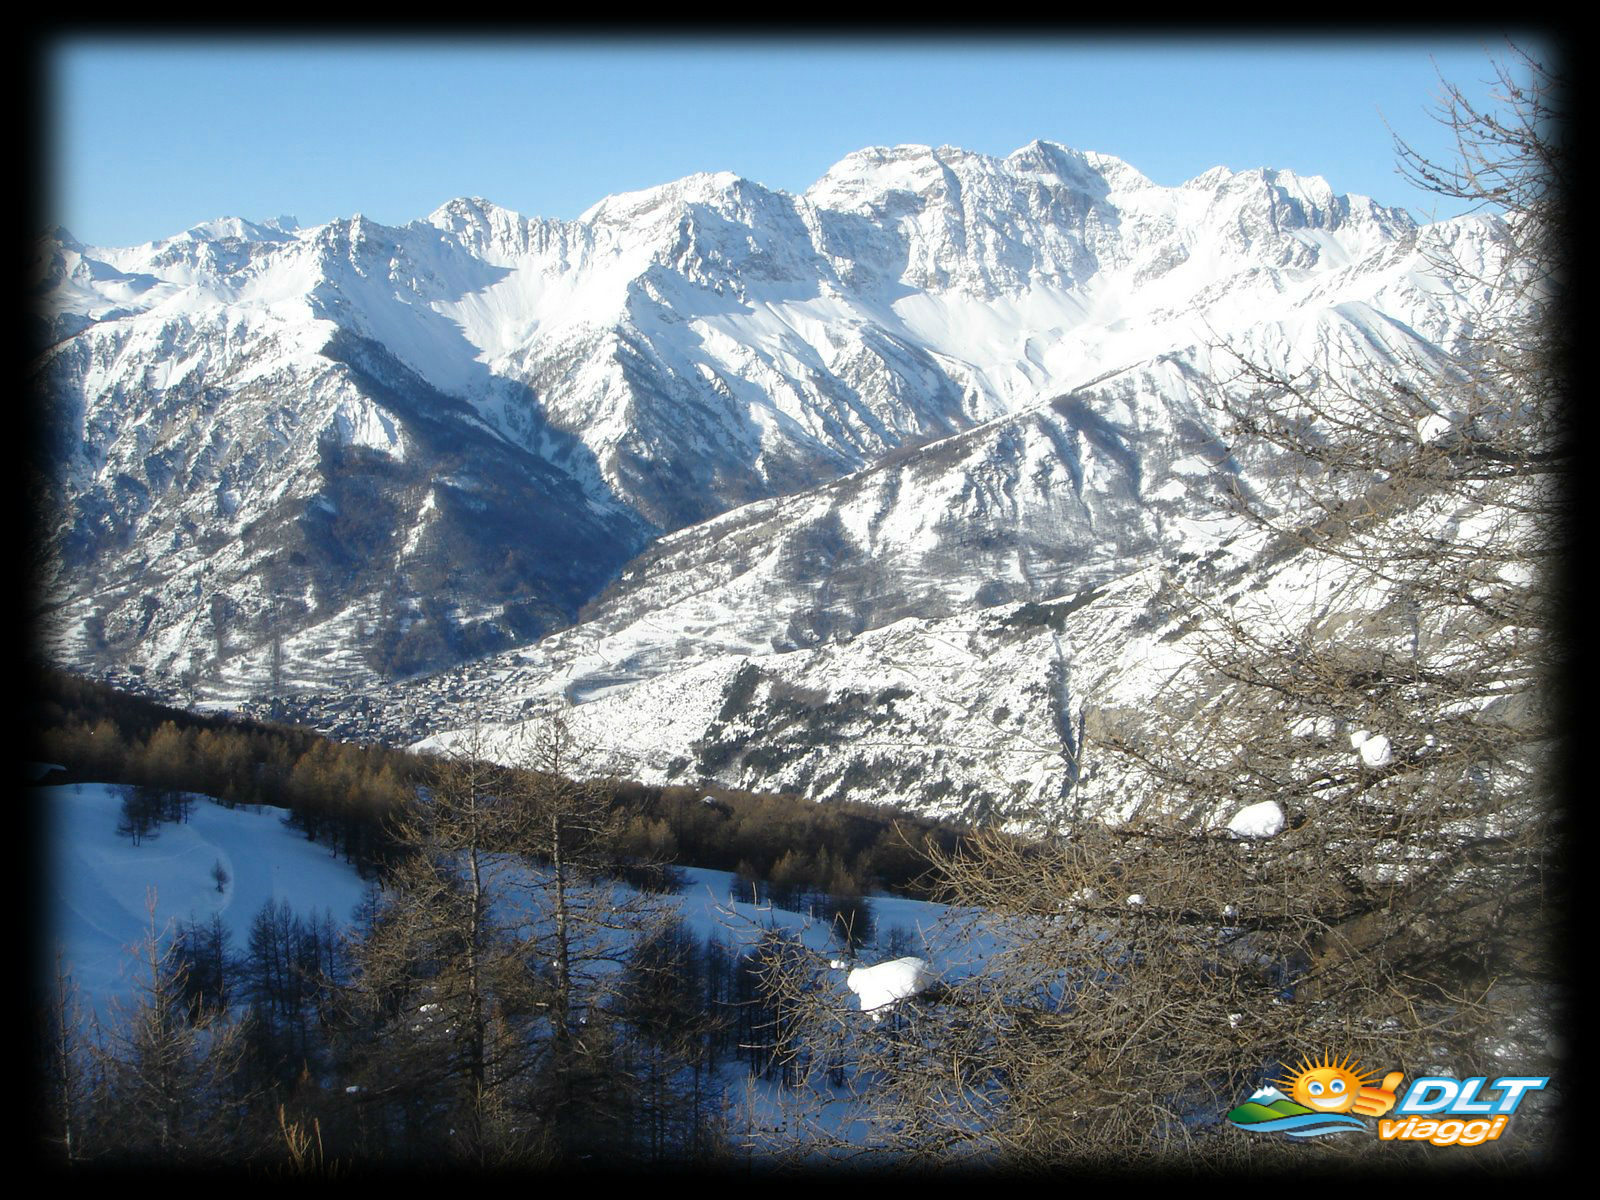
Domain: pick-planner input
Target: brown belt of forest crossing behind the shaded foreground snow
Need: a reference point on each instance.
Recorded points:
(346, 796)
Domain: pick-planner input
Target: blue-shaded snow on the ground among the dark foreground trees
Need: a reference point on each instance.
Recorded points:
(97, 889)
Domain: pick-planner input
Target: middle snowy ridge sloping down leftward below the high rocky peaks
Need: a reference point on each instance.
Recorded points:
(1050, 502)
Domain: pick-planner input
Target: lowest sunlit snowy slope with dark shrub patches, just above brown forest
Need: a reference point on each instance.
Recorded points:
(991, 714)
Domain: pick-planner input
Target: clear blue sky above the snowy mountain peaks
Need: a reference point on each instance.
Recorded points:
(148, 137)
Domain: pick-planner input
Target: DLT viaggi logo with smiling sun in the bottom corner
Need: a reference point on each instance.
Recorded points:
(1436, 1110)
